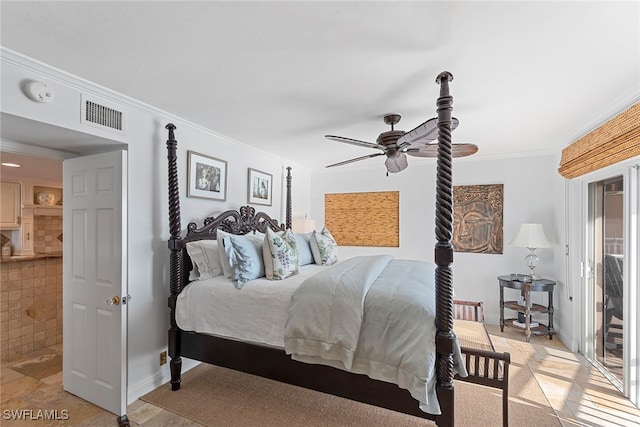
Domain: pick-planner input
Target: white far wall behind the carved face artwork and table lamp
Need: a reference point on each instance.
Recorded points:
(530, 186)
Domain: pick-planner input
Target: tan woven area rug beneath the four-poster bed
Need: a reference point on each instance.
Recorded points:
(215, 396)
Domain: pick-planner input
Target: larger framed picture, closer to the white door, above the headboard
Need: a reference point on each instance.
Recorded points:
(207, 177)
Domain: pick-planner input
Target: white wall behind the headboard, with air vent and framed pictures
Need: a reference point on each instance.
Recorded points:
(148, 316)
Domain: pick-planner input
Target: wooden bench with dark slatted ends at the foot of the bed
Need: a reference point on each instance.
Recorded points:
(485, 366)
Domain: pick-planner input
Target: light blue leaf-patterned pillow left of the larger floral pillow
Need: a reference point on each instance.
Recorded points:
(245, 258)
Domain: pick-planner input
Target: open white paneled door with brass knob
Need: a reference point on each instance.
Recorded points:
(94, 277)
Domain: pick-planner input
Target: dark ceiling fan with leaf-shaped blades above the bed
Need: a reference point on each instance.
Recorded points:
(396, 144)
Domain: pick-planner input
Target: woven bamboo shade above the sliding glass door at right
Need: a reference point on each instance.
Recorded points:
(615, 141)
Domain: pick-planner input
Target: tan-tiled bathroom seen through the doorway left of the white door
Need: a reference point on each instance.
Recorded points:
(32, 257)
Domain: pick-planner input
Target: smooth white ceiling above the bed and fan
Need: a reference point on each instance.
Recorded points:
(529, 77)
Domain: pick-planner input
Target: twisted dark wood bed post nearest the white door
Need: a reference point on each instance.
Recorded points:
(175, 258)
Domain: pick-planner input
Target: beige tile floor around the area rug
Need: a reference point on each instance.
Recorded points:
(577, 392)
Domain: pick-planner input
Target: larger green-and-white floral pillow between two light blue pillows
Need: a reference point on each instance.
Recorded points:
(280, 255)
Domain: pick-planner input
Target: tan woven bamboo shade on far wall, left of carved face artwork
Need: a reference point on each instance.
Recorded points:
(363, 219)
